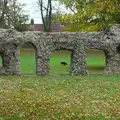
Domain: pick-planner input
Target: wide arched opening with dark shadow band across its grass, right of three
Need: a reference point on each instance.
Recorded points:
(95, 61)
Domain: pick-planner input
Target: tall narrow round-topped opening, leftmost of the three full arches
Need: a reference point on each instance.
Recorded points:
(28, 59)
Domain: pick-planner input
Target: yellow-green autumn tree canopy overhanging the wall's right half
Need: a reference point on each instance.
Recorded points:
(90, 15)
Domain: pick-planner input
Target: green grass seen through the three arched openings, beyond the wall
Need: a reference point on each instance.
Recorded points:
(95, 61)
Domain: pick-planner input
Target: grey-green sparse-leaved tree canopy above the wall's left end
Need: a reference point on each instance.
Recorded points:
(14, 15)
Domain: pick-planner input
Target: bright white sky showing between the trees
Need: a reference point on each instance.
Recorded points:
(33, 9)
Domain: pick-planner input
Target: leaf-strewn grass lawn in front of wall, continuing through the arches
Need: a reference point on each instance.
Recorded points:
(60, 96)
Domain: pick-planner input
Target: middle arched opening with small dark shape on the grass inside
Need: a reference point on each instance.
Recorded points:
(60, 62)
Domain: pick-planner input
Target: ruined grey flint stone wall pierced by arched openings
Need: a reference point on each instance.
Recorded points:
(45, 43)
